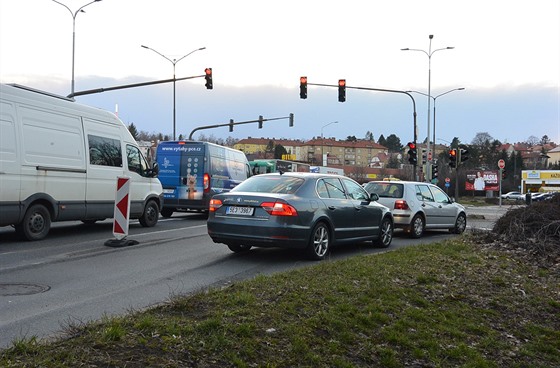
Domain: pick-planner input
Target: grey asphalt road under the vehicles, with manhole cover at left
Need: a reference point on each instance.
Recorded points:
(72, 277)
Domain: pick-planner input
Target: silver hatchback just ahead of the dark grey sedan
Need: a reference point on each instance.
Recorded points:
(419, 206)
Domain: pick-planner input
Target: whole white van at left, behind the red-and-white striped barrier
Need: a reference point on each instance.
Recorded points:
(59, 161)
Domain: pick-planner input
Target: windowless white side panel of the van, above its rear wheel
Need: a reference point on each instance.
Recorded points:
(53, 158)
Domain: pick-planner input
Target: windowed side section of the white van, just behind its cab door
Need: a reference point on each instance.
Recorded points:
(105, 164)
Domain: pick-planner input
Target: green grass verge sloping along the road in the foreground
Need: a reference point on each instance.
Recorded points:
(450, 304)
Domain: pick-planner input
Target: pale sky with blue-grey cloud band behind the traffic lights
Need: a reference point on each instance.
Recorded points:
(506, 56)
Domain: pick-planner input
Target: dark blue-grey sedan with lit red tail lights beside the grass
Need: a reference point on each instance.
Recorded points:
(308, 211)
